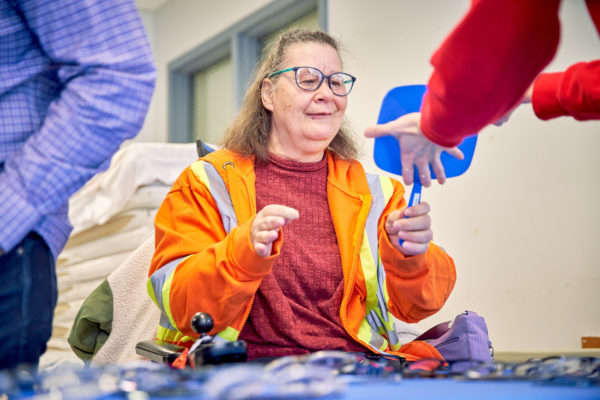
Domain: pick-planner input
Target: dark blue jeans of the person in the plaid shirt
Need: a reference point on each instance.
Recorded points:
(28, 295)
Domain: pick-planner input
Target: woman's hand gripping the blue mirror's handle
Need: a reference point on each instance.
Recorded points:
(413, 225)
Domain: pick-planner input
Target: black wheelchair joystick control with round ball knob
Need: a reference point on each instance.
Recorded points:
(207, 351)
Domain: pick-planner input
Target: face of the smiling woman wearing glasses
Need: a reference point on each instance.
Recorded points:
(303, 123)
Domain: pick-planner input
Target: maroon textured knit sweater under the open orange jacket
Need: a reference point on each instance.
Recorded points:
(296, 308)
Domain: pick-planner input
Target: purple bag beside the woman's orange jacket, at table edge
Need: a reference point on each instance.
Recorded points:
(464, 339)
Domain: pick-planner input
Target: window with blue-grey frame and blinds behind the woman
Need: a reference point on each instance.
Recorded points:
(207, 85)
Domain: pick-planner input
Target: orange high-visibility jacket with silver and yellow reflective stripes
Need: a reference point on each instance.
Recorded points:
(205, 261)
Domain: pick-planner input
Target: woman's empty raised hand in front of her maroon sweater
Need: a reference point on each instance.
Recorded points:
(266, 225)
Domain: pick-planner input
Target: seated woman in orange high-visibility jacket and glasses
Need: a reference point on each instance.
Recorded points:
(283, 238)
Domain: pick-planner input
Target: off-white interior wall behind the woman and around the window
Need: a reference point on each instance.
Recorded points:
(521, 224)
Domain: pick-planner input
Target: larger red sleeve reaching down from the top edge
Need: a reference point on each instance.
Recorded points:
(486, 64)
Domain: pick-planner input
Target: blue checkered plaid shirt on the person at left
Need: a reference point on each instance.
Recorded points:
(76, 79)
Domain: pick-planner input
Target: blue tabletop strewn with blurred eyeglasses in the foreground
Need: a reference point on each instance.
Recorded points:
(158, 381)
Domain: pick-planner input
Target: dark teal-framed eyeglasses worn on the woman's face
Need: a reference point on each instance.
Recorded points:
(310, 78)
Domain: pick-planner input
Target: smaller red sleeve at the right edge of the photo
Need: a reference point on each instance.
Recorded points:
(575, 92)
